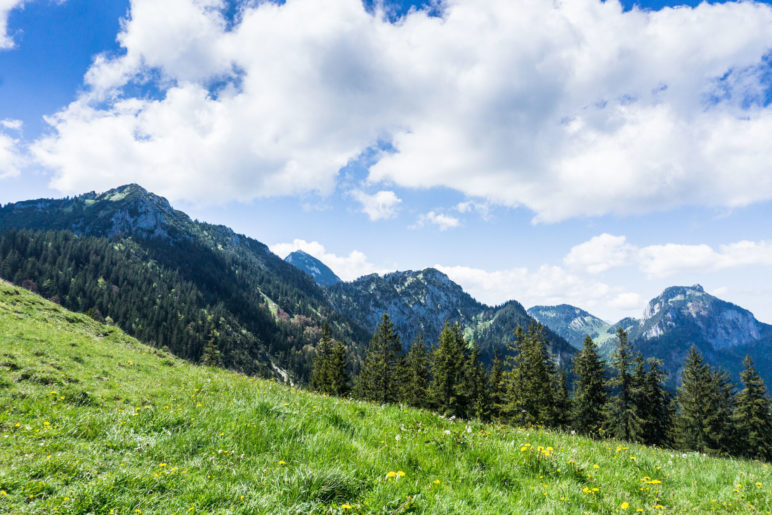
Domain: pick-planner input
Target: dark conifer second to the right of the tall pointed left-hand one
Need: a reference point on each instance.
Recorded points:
(449, 365)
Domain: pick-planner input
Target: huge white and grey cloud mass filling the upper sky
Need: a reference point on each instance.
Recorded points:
(567, 108)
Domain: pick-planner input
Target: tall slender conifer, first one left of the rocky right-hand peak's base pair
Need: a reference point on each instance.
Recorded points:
(620, 411)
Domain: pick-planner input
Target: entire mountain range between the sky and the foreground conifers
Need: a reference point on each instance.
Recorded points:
(128, 257)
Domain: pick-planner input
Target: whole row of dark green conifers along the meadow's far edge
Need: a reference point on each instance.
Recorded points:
(625, 398)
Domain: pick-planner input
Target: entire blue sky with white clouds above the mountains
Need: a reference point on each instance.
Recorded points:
(589, 153)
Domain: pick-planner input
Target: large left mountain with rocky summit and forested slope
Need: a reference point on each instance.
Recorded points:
(169, 280)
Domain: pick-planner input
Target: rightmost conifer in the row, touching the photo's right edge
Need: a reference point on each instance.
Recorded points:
(753, 415)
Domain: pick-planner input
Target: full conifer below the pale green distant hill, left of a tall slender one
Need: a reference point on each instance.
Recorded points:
(590, 394)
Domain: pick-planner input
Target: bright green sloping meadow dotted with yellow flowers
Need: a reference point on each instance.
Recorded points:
(92, 421)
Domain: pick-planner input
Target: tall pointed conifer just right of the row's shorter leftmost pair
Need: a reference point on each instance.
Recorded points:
(378, 378)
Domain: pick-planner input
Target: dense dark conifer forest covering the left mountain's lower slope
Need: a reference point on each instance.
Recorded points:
(180, 296)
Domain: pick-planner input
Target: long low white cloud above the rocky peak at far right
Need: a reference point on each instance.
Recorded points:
(604, 252)
